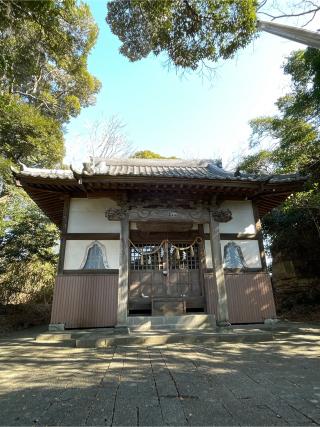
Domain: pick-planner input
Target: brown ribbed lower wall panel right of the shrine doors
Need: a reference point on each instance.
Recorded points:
(250, 297)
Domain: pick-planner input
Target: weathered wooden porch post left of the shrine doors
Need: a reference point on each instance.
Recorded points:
(123, 272)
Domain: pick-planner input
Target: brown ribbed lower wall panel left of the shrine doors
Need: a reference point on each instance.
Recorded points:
(85, 301)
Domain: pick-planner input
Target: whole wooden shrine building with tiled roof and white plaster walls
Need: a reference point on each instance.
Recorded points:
(147, 238)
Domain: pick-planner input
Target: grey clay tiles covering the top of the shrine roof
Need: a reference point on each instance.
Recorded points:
(162, 168)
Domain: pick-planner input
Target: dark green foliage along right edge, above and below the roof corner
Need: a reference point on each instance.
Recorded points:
(293, 136)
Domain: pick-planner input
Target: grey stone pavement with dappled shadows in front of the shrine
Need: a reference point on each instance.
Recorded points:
(270, 383)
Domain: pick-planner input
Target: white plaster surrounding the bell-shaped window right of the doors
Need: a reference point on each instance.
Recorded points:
(250, 250)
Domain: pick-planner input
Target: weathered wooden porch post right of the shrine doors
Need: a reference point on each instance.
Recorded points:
(218, 273)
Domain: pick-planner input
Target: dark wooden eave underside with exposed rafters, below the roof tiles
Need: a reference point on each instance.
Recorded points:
(49, 192)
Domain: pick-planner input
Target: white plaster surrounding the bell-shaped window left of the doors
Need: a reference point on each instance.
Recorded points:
(76, 251)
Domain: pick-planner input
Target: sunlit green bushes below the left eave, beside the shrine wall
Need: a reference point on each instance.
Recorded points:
(27, 255)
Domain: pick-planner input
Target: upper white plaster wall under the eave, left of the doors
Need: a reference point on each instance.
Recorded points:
(88, 216)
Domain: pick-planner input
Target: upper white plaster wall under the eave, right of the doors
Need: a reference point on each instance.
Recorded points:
(242, 218)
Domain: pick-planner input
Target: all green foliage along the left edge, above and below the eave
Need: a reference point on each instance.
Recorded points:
(44, 81)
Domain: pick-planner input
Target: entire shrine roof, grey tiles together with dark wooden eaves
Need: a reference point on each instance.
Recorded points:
(195, 180)
